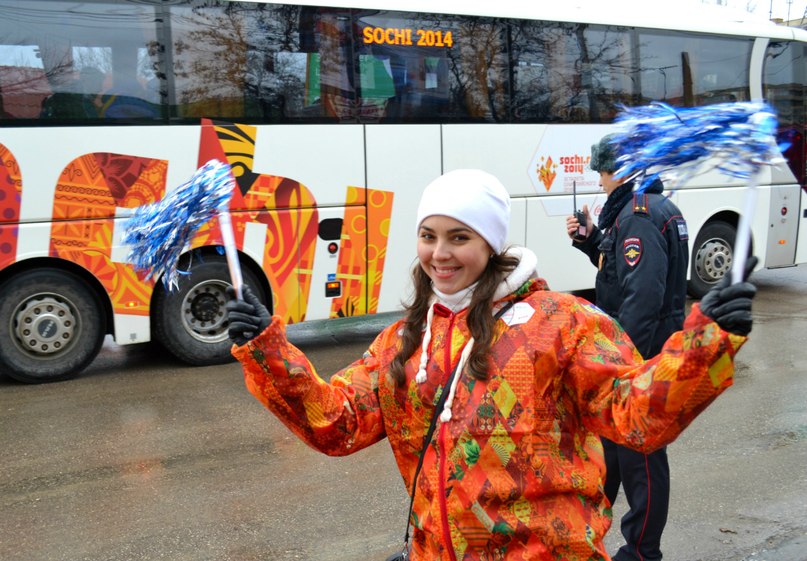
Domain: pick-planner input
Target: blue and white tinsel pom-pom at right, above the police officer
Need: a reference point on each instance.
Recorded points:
(737, 138)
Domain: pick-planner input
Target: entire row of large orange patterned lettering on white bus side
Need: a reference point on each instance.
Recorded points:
(93, 186)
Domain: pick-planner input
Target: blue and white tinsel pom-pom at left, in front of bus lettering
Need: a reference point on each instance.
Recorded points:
(160, 232)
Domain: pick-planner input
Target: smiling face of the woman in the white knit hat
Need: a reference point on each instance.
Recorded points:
(451, 253)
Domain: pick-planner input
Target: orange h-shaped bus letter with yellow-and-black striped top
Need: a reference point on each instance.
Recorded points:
(286, 207)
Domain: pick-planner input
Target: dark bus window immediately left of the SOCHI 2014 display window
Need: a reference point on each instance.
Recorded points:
(272, 63)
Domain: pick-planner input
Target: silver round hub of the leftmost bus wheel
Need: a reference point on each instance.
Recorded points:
(44, 325)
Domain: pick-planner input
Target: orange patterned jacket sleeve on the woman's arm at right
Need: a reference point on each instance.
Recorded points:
(646, 405)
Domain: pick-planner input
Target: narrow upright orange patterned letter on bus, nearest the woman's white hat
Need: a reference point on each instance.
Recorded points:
(361, 268)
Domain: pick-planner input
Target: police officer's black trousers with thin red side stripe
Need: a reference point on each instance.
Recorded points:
(645, 479)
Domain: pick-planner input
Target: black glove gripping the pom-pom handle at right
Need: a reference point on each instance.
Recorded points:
(730, 304)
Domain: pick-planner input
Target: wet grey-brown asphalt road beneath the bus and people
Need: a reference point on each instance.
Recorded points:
(144, 458)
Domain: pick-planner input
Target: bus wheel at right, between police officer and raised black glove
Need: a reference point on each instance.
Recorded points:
(711, 257)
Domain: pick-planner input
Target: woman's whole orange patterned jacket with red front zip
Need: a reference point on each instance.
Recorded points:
(517, 472)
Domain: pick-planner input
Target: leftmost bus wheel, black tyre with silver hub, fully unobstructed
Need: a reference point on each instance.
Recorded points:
(51, 326)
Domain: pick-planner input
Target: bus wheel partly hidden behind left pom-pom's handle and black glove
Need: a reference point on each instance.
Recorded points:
(191, 321)
